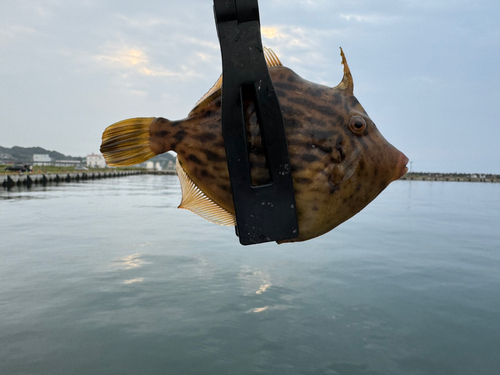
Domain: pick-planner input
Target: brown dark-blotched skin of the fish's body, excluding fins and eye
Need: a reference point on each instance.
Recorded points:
(319, 141)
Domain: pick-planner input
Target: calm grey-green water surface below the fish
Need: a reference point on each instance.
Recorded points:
(109, 277)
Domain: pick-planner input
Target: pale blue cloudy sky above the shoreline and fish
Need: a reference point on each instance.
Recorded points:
(427, 72)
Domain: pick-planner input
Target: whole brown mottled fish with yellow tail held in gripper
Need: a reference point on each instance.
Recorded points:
(339, 160)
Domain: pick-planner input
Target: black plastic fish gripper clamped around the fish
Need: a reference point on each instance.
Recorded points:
(266, 212)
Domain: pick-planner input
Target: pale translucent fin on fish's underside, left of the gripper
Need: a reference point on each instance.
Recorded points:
(194, 200)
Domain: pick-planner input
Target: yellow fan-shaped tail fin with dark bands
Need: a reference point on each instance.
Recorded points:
(127, 142)
